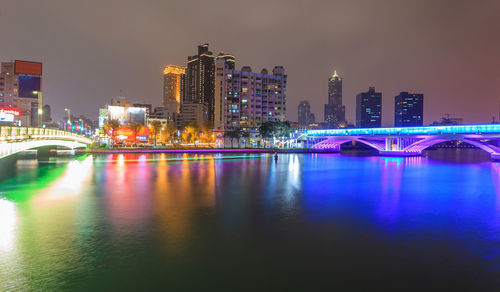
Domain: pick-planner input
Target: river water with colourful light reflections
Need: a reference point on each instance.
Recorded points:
(150, 222)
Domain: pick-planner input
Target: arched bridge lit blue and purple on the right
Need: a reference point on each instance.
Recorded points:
(407, 141)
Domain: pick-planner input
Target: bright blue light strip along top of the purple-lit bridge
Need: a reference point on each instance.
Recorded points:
(430, 130)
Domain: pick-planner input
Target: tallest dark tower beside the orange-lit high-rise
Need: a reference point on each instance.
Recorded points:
(197, 103)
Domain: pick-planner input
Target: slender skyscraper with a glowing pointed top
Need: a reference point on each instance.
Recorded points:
(334, 109)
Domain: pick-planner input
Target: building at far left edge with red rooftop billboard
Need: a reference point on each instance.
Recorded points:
(21, 89)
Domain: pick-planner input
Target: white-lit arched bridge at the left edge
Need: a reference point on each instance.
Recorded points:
(17, 139)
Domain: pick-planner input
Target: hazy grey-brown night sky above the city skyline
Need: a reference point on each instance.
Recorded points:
(93, 50)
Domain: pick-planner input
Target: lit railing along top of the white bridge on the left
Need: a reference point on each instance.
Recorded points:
(12, 134)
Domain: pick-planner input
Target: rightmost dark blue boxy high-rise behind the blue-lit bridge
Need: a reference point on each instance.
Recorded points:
(409, 110)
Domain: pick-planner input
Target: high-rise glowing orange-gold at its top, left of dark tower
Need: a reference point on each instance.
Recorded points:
(173, 78)
